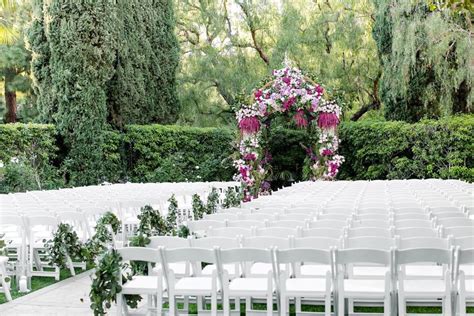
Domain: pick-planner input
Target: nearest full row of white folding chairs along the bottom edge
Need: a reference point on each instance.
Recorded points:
(277, 284)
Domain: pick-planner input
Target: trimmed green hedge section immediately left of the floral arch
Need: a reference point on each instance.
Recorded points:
(158, 153)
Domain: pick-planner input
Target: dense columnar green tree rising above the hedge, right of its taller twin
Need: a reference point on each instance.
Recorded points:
(143, 88)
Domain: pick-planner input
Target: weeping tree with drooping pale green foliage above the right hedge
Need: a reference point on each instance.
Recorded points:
(426, 54)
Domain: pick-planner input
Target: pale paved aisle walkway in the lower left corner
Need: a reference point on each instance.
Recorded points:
(68, 297)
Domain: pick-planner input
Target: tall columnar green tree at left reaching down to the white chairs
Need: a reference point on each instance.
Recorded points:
(71, 84)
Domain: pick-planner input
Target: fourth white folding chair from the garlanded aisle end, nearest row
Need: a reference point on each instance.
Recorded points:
(303, 286)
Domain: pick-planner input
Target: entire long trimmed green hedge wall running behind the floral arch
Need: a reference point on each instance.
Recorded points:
(154, 153)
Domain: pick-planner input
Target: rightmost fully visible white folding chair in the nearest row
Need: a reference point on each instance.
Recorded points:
(410, 289)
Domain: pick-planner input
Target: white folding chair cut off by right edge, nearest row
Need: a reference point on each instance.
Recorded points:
(464, 278)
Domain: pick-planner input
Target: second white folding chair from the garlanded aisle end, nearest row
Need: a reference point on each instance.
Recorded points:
(196, 285)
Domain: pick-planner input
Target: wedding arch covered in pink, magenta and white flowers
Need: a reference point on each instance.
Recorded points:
(292, 95)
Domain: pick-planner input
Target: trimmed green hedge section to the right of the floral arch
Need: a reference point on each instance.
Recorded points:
(397, 150)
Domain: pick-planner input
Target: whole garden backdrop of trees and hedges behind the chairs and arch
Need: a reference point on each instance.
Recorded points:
(88, 82)
